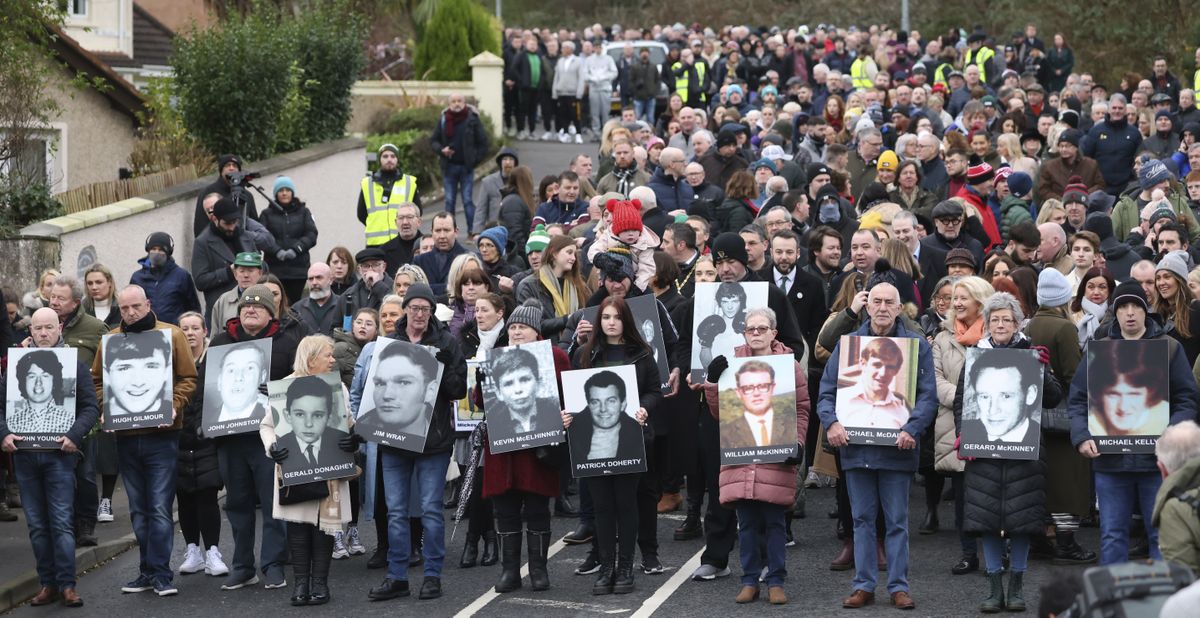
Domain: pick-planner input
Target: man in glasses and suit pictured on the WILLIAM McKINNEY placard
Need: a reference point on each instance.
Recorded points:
(759, 425)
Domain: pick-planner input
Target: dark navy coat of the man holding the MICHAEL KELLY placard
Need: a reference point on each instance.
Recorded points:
(1185, 399)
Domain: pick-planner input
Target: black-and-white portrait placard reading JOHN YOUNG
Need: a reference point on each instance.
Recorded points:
(41, 395)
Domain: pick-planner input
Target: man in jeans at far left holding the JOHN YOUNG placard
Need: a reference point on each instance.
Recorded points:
(47, 477)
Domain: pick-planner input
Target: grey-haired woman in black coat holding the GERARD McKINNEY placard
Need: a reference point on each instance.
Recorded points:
(1005, 500)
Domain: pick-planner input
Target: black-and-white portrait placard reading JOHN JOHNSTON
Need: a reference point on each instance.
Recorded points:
(233, 379)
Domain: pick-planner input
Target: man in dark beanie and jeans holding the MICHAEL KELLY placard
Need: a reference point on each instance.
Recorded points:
(1125, 477)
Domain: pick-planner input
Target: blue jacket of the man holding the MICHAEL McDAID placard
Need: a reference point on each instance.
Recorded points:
(925, 410)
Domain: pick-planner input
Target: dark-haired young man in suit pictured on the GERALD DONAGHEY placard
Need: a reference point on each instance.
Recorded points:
(313, 443)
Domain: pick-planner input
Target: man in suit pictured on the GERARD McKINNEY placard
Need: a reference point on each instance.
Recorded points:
(1007, 400)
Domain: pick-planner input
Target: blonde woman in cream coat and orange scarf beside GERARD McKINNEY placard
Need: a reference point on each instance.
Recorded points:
(964, 328)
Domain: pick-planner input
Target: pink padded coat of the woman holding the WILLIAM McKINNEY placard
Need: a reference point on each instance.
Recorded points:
(771, 483)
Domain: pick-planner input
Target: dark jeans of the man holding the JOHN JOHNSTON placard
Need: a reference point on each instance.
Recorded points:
(249, 477)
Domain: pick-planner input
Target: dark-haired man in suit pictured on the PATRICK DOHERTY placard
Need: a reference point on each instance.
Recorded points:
(604, 431)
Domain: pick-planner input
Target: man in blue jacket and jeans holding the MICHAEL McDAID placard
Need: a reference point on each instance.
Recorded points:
(879, 476)
